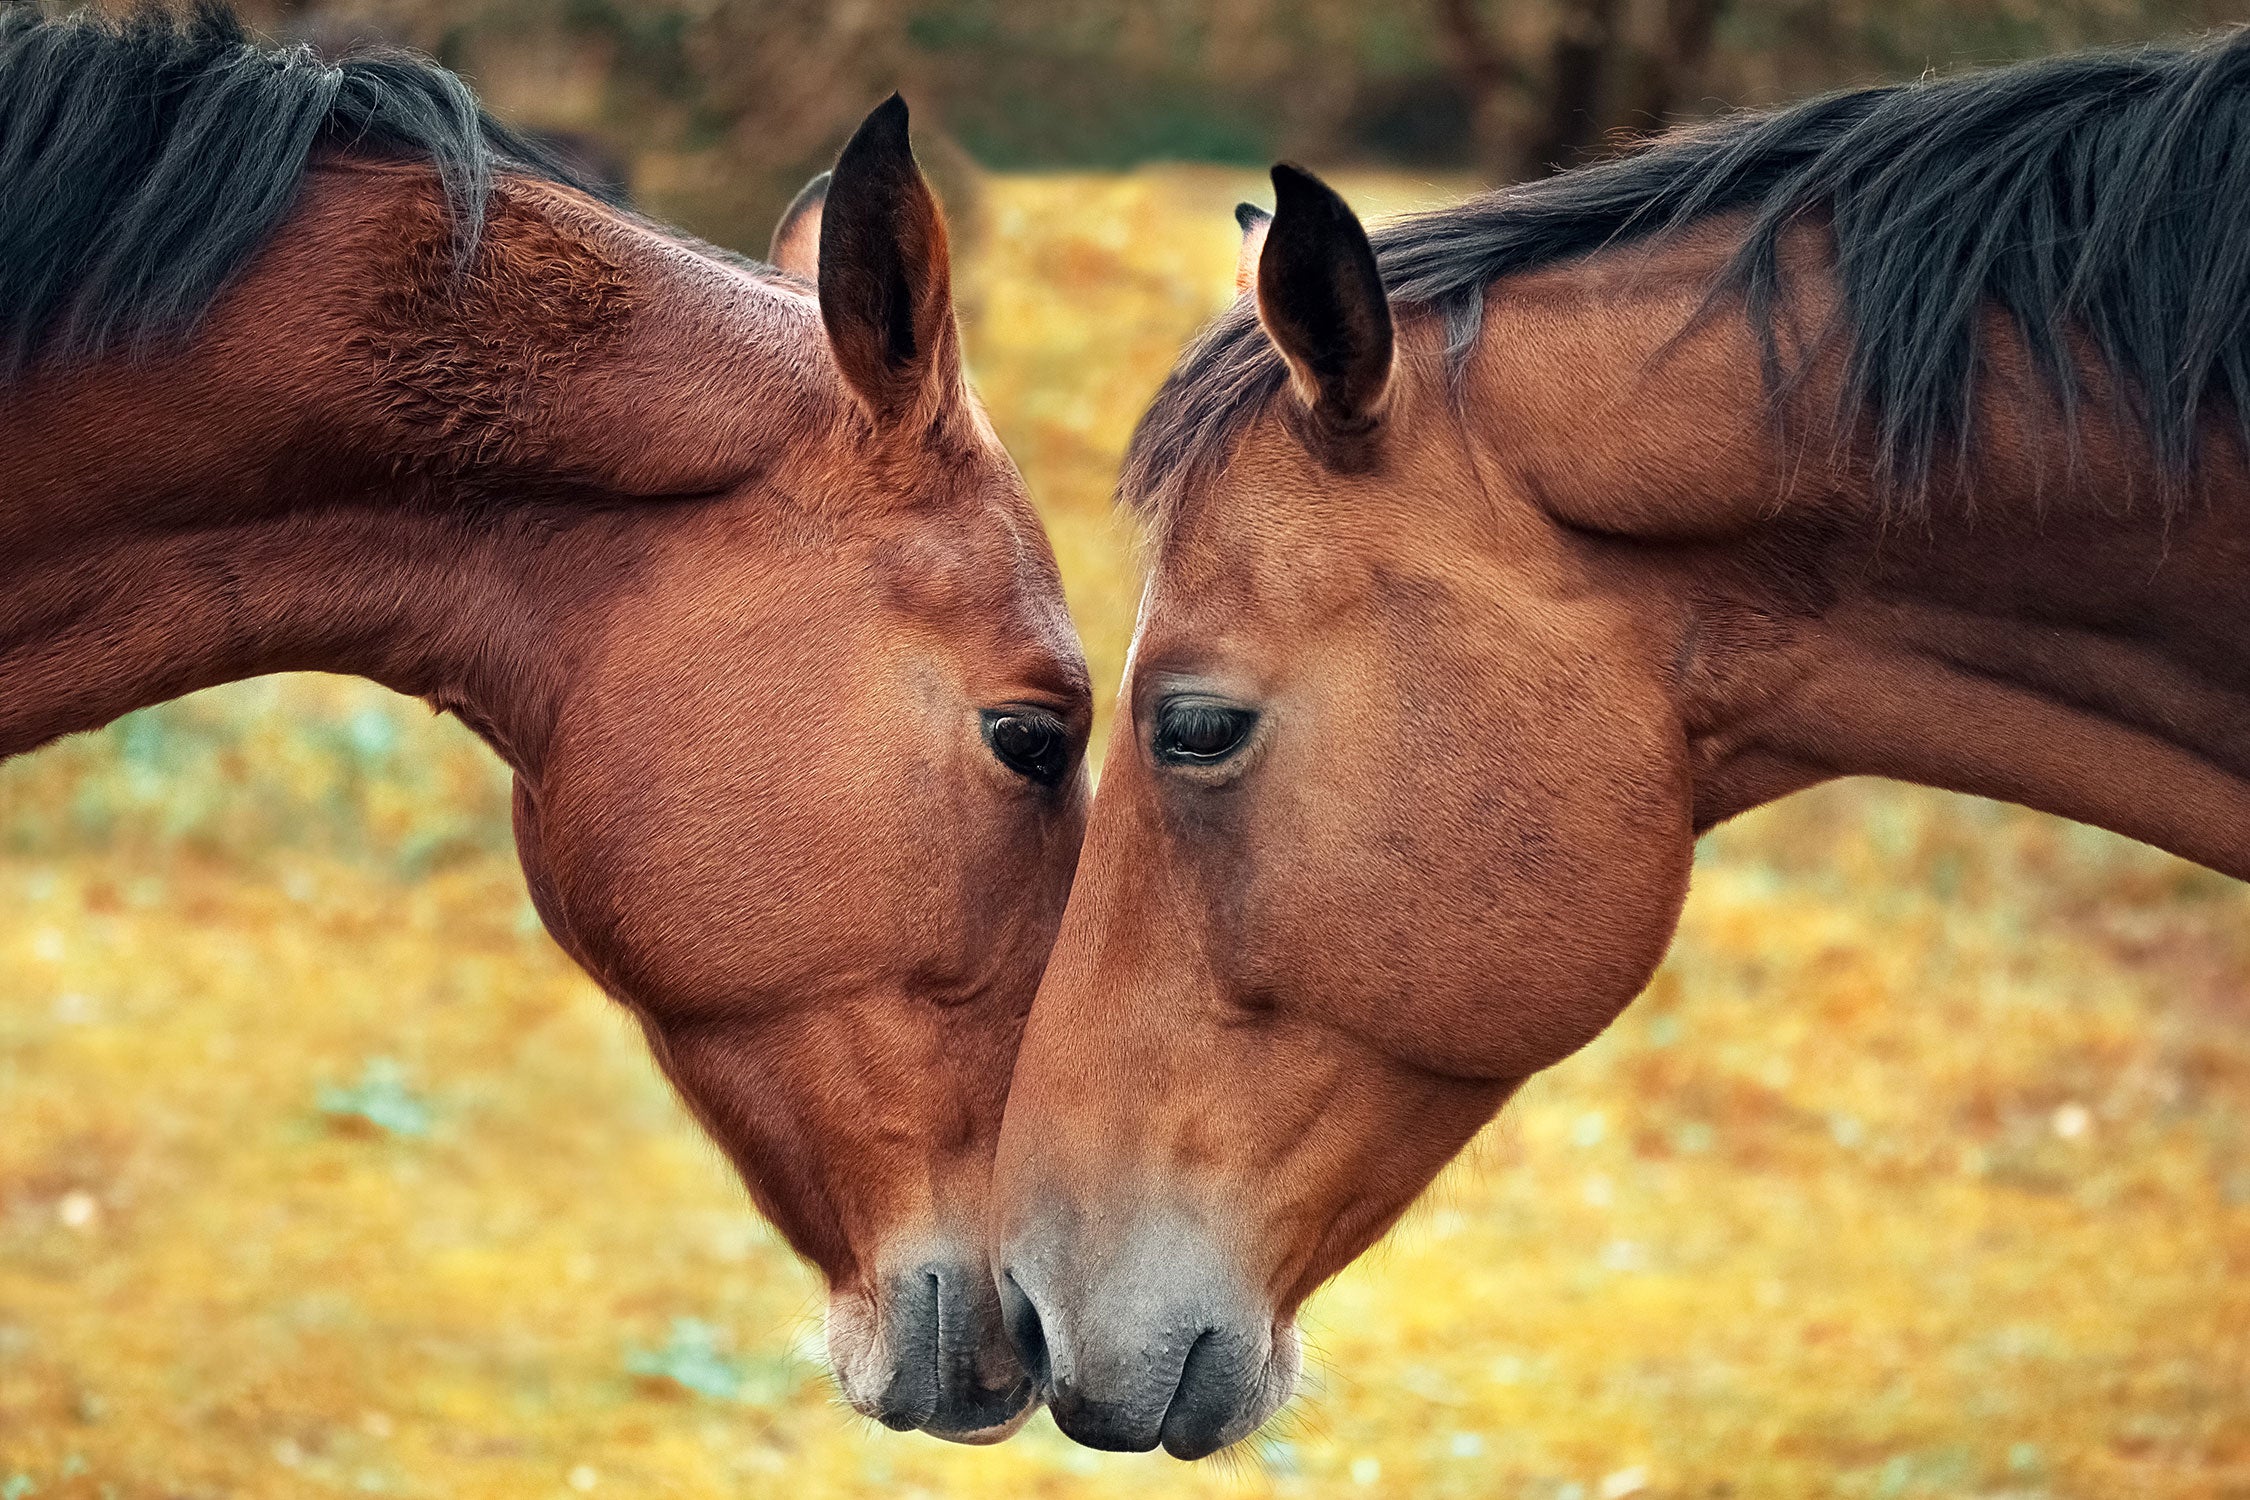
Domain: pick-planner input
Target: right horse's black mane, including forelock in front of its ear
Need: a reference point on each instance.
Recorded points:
(2100, 197)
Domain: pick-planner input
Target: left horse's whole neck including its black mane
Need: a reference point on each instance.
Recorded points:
(305, 368)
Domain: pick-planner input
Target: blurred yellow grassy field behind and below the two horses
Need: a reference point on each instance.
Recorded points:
(1925, 1168)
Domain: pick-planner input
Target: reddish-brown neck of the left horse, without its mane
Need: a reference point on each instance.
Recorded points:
(298, 489)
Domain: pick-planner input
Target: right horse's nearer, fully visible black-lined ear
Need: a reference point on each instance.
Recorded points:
(1324, 305)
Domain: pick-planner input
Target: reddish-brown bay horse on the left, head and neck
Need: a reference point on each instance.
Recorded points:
(316, 368)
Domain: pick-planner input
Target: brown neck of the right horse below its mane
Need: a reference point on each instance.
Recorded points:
(2046, 631)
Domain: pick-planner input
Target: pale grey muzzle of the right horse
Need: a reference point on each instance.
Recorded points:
(1151, 1344)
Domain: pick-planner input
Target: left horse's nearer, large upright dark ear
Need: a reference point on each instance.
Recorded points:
(885, 275)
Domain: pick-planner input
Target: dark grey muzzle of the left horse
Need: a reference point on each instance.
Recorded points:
(930, 1353)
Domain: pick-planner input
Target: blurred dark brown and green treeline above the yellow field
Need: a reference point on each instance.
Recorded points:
(719, 109)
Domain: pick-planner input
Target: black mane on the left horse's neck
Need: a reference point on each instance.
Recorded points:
(145, 161)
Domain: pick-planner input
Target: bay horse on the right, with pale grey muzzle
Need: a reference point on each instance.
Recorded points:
(1495, 559)
